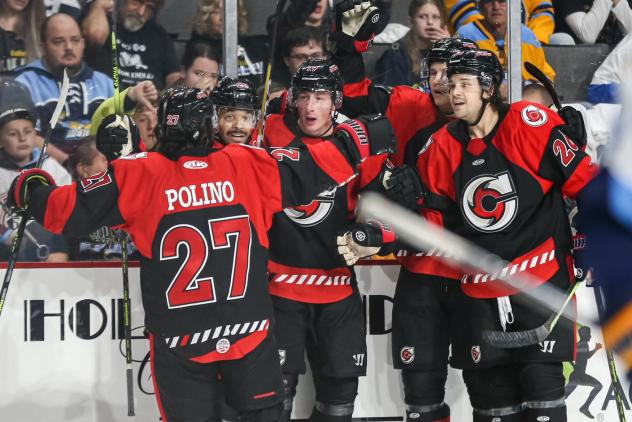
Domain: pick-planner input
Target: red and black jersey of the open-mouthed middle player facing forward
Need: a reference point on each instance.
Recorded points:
(304, 262)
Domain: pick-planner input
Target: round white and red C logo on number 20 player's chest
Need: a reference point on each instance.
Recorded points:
(490, 202)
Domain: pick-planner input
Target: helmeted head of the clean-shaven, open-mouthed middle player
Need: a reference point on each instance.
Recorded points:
(315, 93)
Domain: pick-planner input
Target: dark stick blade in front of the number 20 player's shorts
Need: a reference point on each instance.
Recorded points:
(515, 339)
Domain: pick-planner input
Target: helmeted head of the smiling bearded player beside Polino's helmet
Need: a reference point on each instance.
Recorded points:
(236, 110)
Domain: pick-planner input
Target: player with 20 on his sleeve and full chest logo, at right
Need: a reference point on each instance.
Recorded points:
(507, 169)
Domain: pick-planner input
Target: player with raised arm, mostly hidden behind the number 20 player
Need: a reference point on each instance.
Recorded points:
(423, 303)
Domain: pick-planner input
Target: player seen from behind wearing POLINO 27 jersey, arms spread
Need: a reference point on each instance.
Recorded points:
(199, 217)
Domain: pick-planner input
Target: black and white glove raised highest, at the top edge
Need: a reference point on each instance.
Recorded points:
(356, 24)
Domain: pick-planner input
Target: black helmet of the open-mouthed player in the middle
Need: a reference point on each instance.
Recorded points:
(317, 75)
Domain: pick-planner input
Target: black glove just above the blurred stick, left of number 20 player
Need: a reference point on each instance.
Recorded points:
(404, 186)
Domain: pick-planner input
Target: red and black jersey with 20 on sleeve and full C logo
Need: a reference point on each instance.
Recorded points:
(509, 189)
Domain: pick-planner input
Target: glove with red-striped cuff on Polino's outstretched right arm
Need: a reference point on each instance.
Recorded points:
(365, 136)
